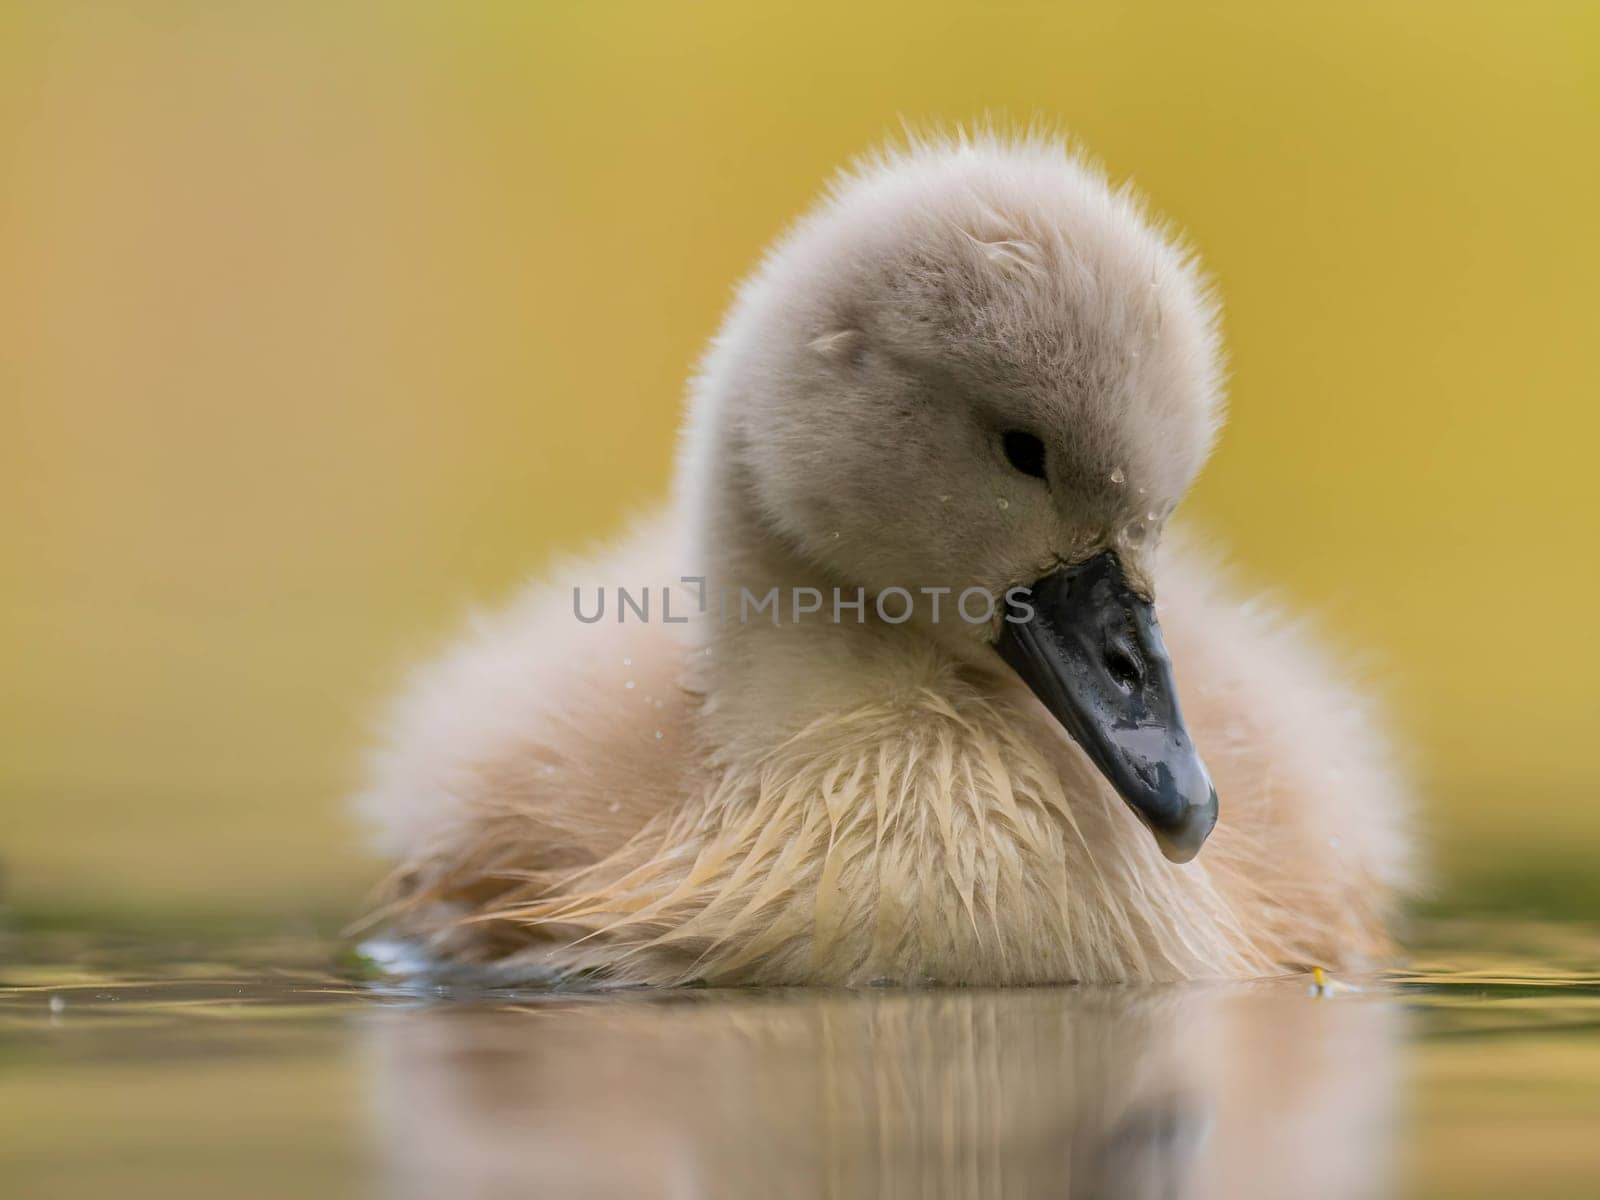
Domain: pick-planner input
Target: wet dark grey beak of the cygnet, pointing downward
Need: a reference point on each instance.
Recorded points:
(1094, 654)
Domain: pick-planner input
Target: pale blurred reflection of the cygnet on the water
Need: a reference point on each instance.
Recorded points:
(1230, 1092)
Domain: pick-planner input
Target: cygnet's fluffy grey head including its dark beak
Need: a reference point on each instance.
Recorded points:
(980, 367)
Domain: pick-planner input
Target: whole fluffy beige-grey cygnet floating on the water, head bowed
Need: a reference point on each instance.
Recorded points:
(922, 722)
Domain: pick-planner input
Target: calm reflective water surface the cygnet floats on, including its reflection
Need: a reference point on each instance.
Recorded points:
(270, 1073)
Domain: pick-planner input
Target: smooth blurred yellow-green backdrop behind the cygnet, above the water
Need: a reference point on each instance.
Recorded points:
(319, 322)
